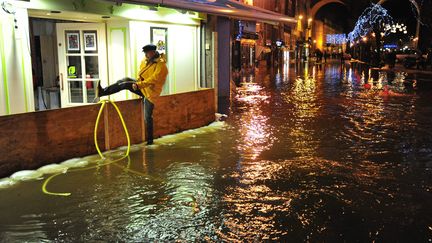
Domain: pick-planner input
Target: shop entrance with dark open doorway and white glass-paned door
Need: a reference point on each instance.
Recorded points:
(68, 58)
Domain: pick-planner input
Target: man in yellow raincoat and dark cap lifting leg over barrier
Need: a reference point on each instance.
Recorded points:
(150, 81)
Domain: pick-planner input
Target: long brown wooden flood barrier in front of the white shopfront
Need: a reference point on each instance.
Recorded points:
(31, 140)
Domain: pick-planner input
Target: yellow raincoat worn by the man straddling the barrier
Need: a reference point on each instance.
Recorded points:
(152, 76)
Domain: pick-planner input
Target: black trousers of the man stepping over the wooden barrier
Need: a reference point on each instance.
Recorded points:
(127, 84)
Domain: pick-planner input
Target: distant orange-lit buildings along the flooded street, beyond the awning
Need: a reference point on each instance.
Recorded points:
(299, 40)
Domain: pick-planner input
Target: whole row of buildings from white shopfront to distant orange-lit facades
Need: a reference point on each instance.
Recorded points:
(53, 52)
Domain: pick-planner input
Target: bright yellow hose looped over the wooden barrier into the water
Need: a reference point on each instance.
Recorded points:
(46, 182)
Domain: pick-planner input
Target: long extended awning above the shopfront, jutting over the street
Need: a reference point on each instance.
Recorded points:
(227, 8)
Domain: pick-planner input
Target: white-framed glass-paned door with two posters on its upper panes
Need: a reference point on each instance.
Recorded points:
(82, 61)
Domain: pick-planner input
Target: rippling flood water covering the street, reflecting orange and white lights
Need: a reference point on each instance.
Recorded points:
(307, 154)
